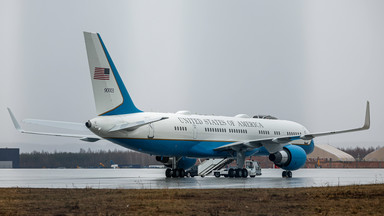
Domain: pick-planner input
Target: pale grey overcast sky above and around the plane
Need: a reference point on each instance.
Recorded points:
(313, 62)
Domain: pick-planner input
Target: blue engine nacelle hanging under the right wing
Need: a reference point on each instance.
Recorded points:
(290, 158)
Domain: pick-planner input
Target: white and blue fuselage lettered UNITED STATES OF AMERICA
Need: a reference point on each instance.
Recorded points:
(197, 129)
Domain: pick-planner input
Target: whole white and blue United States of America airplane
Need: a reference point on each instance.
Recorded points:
(179, 139)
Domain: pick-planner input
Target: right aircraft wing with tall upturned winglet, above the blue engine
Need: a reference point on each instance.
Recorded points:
(277, 143)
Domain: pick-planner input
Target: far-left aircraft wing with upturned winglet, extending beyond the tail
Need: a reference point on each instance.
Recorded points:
(87, 138)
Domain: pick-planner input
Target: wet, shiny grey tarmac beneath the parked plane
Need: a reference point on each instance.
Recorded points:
(154, 179)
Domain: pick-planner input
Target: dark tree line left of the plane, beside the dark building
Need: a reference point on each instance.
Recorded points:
(86, 159)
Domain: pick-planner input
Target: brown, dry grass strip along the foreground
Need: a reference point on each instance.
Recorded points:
(346, 200)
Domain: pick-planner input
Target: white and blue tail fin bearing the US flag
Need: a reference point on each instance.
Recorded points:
(111, 96)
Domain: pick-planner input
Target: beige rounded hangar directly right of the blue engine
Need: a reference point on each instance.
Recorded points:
(327, 152)
